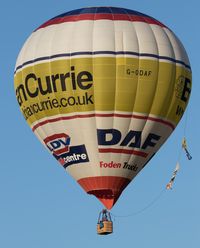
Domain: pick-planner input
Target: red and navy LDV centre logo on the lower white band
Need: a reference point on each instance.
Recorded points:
(59, 145)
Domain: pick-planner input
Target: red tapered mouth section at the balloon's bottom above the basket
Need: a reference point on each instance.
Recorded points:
(107, 189)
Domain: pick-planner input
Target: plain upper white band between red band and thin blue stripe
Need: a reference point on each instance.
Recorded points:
(102, 35)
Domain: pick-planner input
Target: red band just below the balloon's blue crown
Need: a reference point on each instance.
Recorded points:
(94, 17)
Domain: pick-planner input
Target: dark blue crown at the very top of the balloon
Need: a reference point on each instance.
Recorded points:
(101, 10)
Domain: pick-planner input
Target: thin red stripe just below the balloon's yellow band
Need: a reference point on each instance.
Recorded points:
(167, 123)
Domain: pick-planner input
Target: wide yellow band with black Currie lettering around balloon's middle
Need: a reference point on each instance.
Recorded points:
(103, 84)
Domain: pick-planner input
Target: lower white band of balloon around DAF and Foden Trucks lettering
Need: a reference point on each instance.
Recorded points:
(83, 131)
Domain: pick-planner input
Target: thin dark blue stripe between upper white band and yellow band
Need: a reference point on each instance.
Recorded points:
(102, 53)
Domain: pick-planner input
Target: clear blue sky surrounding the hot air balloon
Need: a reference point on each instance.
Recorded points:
(41, 206)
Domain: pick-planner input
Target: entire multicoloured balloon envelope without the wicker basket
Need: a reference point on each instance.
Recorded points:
(103, 88)
